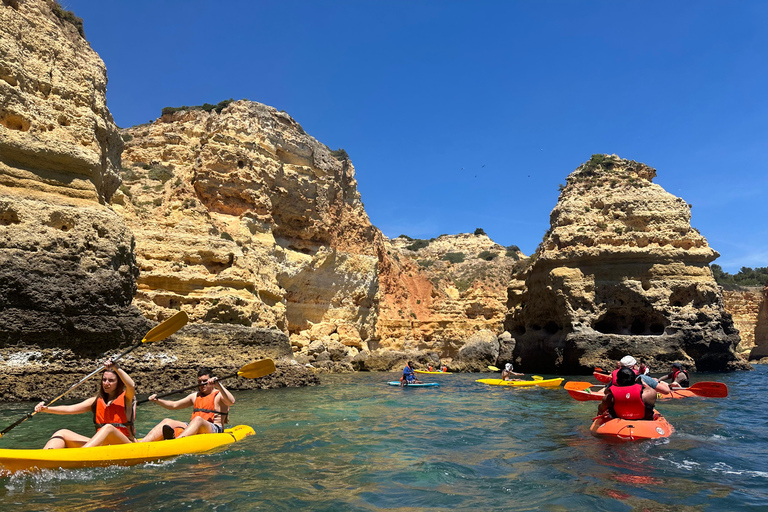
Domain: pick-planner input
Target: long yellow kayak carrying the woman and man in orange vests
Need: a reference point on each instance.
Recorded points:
(12, 460)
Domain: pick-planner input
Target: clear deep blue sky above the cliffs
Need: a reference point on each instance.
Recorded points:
(467, 114)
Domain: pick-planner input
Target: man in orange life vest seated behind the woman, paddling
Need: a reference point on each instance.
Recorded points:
(211, 403)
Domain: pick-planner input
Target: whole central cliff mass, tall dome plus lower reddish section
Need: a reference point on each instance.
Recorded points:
(242, 218)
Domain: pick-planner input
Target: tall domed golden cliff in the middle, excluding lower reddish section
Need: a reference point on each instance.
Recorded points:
(242, 218)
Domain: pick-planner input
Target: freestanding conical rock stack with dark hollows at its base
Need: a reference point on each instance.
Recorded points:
(621, 271)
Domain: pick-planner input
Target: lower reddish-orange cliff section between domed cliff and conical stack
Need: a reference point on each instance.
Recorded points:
(441, 291)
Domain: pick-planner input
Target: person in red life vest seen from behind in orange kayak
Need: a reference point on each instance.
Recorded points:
(632, 397)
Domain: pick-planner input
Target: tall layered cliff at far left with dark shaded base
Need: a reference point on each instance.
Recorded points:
(67, 270)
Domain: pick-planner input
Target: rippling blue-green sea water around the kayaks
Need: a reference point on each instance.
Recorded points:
(354, 443)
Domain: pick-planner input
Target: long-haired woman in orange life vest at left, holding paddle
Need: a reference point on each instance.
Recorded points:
(113, 420)
